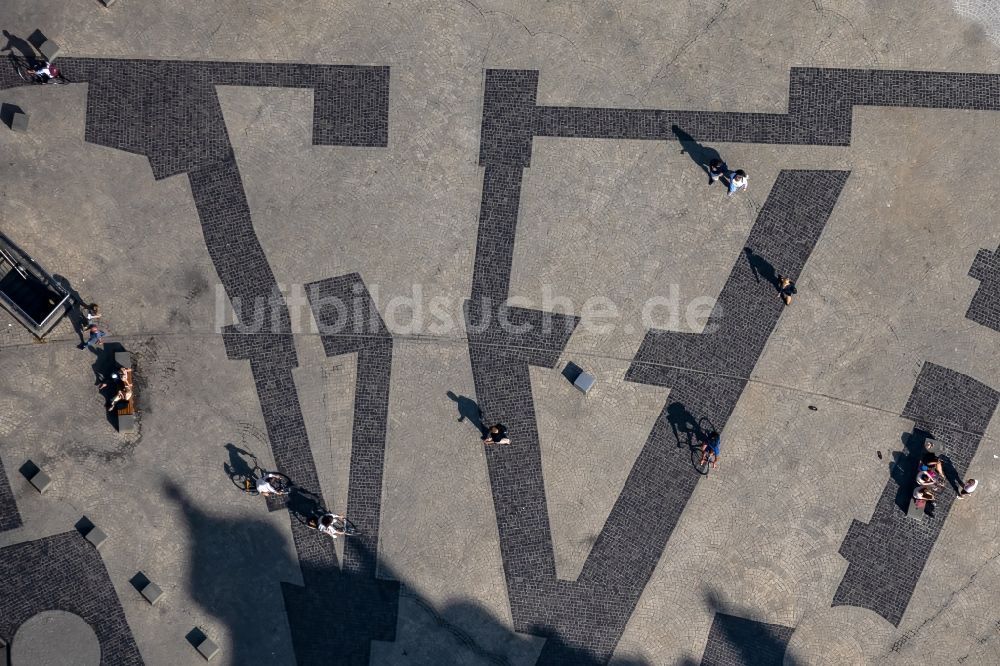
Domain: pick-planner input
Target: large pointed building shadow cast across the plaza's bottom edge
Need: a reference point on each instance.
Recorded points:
(238, 566)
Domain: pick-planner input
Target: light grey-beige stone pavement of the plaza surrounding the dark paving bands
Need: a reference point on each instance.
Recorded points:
(885, 290)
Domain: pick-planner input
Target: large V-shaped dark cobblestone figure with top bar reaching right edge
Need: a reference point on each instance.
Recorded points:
(584, 619)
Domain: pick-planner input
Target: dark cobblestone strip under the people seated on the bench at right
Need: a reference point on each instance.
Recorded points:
(888, 554)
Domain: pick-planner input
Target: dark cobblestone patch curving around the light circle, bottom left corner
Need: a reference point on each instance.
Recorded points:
(64, 572)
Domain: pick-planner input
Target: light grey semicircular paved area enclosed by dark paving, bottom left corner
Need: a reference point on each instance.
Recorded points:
(55, 638)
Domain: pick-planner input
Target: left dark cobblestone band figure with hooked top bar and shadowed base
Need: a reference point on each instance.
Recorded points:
(176, 121)
